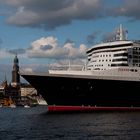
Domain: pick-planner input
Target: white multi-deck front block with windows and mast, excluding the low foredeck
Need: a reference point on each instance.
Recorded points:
(112, 54)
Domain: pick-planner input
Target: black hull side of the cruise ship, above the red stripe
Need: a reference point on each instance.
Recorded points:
(76, 91)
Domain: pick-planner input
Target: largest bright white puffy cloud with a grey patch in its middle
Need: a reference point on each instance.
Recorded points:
(45, 47)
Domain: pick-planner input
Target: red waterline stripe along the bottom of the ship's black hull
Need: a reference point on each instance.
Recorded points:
(55, 108)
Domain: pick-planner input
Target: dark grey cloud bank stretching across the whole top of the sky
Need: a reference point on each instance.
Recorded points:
(50, 14)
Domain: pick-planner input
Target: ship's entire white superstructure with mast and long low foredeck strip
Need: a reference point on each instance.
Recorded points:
(117, 58)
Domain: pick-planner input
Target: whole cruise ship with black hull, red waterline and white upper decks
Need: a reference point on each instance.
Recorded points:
(110, 80)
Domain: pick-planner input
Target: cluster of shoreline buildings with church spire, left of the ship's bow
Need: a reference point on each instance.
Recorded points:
(15, 91)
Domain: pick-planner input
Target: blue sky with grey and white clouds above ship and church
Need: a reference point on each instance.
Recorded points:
(51, 32)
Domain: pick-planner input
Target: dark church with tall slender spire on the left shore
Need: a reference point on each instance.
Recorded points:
(10, 93)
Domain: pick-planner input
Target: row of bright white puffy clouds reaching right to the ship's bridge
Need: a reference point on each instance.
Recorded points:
(49, 48)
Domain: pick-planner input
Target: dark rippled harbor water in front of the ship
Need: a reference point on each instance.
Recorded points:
(35, 123)
